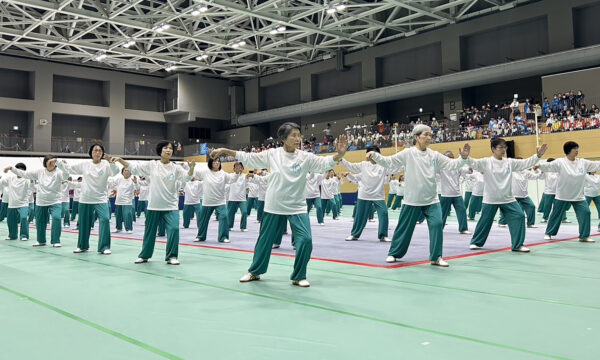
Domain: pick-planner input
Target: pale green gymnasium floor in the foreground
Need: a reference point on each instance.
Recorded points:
(56, 304)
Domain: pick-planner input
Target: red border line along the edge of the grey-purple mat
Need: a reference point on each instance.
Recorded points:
(395, 266)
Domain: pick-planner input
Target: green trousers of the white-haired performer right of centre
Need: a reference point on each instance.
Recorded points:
(407, 220)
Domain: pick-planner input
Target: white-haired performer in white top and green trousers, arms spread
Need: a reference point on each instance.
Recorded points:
(421, 164)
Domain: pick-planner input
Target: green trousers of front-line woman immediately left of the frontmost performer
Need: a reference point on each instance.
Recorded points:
(171, 220)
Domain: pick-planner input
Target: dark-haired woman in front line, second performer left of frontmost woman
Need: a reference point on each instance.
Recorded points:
(93, 198)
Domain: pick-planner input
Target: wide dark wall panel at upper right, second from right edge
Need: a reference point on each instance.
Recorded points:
(504, 44)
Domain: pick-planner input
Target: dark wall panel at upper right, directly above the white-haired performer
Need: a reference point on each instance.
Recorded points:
(416, 64)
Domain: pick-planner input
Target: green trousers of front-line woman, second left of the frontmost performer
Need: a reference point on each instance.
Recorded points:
(86, 212)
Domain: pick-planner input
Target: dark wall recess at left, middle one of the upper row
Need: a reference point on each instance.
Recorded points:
(79, 91)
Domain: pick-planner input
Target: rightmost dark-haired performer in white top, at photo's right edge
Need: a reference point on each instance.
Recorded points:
(571, 172)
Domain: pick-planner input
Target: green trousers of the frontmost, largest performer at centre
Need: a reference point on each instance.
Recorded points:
(269, 230)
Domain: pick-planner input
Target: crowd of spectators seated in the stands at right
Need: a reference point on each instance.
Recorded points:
(566, 112)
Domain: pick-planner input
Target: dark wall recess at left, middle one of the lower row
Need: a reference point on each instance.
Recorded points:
(74, 126)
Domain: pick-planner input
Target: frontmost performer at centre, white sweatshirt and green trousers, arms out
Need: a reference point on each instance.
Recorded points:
(285, 199)
